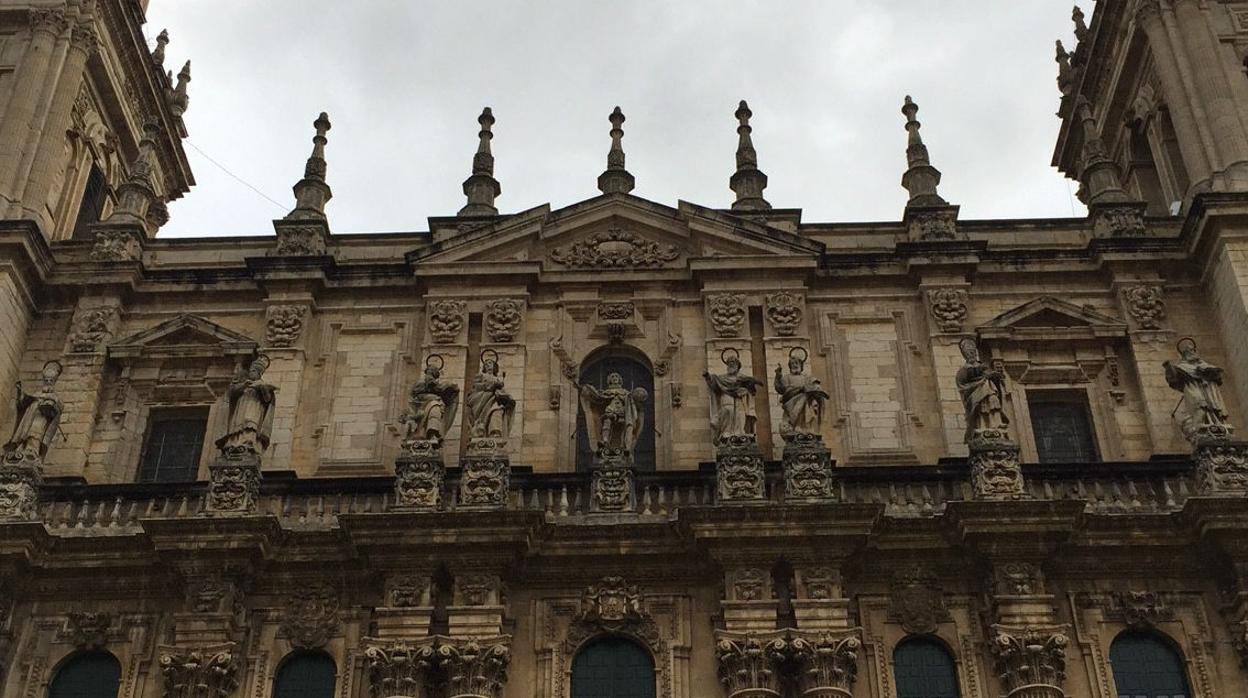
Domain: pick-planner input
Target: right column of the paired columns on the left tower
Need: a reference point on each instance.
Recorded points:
(49, 155)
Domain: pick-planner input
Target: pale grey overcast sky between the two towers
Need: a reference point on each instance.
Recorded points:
(404, 83)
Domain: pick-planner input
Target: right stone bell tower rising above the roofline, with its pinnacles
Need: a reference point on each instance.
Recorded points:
(1168, 87)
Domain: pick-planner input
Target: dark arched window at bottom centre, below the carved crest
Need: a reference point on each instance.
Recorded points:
(613, 667)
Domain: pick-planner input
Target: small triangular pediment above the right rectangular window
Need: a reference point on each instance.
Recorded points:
(1053, 320)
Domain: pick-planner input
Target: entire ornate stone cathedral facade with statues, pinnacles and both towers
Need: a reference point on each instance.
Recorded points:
(627, 449)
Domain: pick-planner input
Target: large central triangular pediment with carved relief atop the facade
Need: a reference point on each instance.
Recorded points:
(610, 234)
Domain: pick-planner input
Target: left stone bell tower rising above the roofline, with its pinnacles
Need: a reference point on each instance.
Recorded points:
(78, 86)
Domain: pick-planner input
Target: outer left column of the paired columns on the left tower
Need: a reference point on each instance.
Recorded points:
(29, 82)
